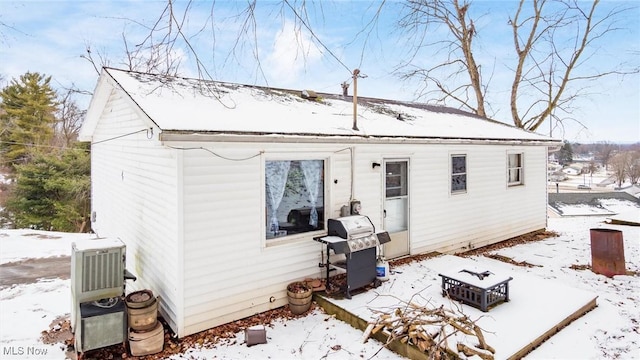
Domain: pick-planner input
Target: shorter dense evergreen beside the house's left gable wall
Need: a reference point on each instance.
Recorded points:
(52, 192)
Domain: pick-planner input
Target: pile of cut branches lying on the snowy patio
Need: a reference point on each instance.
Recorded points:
(440, 332)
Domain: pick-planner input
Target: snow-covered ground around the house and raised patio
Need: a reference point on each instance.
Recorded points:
(610, 331)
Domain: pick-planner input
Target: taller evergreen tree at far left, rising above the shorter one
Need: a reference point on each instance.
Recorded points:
(28, 117)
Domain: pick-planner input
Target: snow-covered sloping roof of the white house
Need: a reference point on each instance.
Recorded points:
(184, 106)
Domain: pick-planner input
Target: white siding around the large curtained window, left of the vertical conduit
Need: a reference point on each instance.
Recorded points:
(231, 272)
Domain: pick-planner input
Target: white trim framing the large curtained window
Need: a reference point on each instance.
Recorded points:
(269, 242)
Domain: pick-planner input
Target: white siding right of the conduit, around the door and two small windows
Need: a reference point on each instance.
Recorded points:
(439, 222)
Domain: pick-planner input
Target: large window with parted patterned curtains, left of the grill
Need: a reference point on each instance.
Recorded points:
(294, 197)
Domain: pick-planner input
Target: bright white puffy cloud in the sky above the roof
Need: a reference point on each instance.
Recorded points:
(293, 52)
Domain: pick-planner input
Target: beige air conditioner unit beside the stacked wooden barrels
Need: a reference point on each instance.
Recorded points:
(98, 316)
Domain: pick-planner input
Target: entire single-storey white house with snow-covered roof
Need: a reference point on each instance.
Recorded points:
(217, 189)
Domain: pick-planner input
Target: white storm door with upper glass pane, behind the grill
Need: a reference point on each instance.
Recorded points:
(396, 207)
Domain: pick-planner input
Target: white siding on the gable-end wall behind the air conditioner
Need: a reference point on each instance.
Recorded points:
(134, 197)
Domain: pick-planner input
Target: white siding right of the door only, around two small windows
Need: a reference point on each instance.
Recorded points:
(487, 215)
